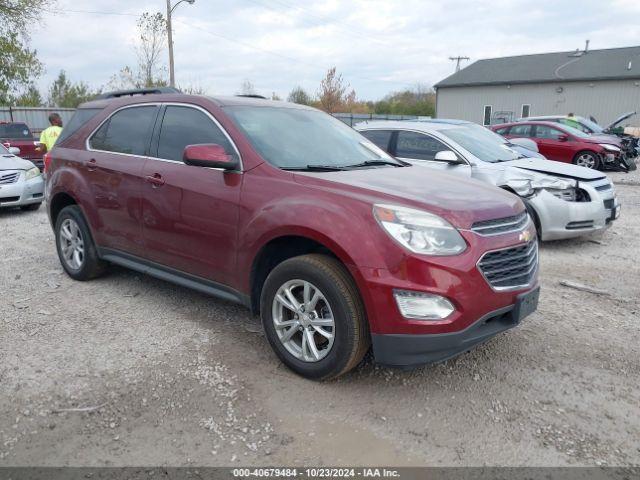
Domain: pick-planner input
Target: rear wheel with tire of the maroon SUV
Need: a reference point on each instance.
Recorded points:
(76, 250)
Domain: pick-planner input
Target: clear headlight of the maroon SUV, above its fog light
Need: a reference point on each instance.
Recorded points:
(418, 231)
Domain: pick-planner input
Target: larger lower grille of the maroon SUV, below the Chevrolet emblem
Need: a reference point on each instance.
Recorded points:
(510, 268)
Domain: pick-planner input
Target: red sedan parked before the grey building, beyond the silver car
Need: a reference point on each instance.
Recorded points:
(565, 144)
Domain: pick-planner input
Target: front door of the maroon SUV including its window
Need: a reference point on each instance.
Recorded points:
(190, 213)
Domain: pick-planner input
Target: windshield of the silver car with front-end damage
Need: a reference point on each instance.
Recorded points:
(481, 143)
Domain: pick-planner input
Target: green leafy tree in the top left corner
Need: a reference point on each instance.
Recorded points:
(19, 65)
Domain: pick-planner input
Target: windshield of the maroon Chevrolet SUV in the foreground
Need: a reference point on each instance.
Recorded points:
(295, 138)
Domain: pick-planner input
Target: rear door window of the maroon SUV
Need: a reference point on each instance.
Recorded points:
(126, 131)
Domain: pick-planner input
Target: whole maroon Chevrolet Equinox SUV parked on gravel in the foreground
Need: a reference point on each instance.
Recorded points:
(280, 207)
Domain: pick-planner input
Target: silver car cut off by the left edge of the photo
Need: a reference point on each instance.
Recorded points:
(21, 183)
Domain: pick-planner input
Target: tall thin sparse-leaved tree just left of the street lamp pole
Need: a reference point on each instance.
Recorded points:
(152, 38)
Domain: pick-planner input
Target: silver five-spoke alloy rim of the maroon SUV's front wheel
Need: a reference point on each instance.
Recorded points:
(303, 320)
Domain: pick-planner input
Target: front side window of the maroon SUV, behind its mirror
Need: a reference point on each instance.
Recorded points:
(182, 126)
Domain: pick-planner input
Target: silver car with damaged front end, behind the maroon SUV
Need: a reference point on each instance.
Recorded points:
(564, 200)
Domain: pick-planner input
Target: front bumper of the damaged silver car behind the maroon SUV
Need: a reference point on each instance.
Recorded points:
(560, 219)
